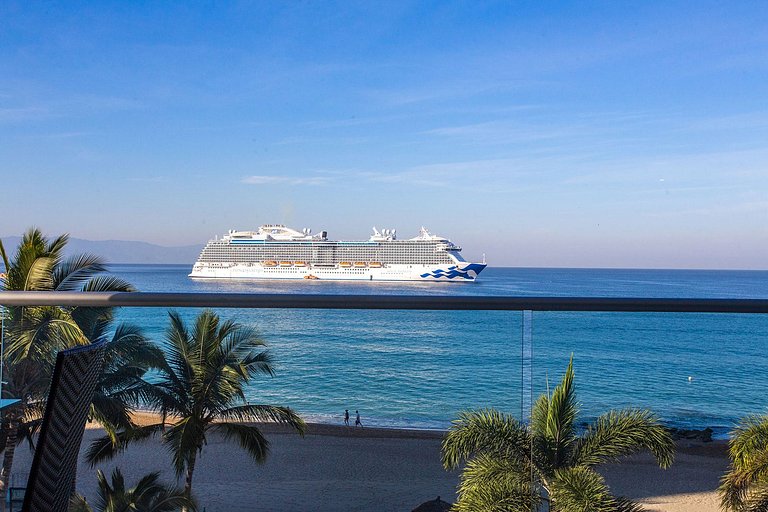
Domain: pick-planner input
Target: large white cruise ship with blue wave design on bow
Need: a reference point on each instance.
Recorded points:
(275, 251)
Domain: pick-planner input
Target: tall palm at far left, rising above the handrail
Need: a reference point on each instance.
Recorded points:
(34, 334)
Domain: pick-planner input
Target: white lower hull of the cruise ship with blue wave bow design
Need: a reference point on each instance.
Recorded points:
(455, 272)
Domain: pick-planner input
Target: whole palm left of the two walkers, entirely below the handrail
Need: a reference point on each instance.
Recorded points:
(199, 390)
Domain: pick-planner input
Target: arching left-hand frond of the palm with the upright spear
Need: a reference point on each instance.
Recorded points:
(486, 430)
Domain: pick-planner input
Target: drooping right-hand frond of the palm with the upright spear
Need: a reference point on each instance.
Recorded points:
(621, 433)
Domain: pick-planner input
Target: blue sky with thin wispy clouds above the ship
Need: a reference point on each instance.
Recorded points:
(608, 134)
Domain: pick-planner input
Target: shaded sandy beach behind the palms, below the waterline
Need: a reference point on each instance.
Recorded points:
(346, 468)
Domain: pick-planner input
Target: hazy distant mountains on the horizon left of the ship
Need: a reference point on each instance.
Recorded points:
(121, 251)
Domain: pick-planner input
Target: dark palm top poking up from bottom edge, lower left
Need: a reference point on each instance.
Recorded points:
(149, 495)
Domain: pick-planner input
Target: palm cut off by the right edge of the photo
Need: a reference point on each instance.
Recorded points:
(744, 488)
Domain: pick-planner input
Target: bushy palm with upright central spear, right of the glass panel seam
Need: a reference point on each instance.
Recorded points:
(512, 466)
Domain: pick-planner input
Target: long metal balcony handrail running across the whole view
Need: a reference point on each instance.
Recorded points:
(420, 302)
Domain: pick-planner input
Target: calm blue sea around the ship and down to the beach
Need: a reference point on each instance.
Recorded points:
(419, 368)
